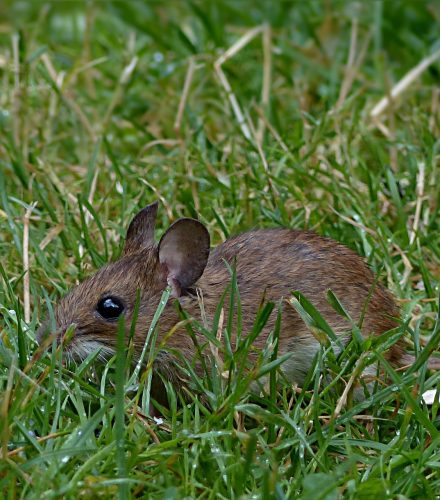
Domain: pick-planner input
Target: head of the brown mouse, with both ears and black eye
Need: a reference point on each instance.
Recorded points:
(145, 269)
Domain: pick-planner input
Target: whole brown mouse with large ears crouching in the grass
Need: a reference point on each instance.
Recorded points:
(269, 263)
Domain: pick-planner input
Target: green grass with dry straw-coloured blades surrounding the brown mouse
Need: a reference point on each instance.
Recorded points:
(89, 96)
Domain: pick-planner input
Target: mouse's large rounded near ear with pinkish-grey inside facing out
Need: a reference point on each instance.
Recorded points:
(184, 250)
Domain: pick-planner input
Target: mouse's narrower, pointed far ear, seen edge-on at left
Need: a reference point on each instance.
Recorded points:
(140, 233)
